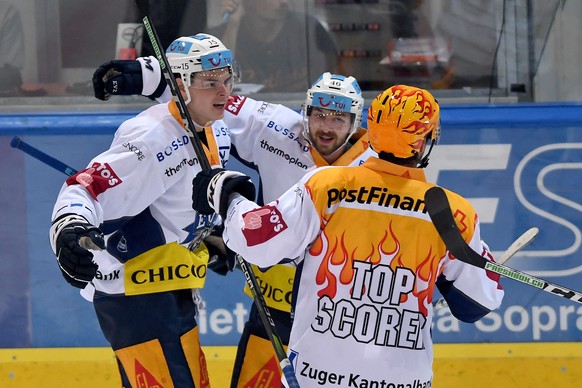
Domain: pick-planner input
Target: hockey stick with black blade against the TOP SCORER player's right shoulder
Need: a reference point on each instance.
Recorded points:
(439, 210)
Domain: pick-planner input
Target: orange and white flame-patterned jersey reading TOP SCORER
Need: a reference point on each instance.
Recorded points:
(369, 261)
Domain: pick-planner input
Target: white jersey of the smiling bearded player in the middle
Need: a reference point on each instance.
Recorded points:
(268, 138)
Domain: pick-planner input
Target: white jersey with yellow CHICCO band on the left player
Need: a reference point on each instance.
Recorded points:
(139, 193)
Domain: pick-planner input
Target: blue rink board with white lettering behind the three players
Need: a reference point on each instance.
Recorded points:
(520, 165)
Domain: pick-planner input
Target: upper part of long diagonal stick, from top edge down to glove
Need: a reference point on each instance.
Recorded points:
(142, 6)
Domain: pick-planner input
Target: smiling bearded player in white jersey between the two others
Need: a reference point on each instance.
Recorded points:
(282, 145)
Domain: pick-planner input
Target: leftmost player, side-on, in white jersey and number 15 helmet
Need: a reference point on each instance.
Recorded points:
(133, 205)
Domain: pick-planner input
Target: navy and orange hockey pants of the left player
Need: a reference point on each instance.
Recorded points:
(155, 338)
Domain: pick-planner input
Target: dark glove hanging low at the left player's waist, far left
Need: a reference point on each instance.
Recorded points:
(71, 237)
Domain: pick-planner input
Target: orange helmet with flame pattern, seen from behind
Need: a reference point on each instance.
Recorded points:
(401, 120)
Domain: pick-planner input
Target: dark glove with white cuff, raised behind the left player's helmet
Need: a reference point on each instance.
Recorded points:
(127, 77)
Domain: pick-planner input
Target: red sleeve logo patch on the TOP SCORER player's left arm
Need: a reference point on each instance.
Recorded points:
(262, 224)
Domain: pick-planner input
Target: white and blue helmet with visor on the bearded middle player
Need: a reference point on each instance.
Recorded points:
(335, 92)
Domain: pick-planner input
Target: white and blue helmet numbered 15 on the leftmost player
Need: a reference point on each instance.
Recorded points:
(188, 55)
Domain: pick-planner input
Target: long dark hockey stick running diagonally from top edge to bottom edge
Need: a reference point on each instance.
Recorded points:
(286, 366)
